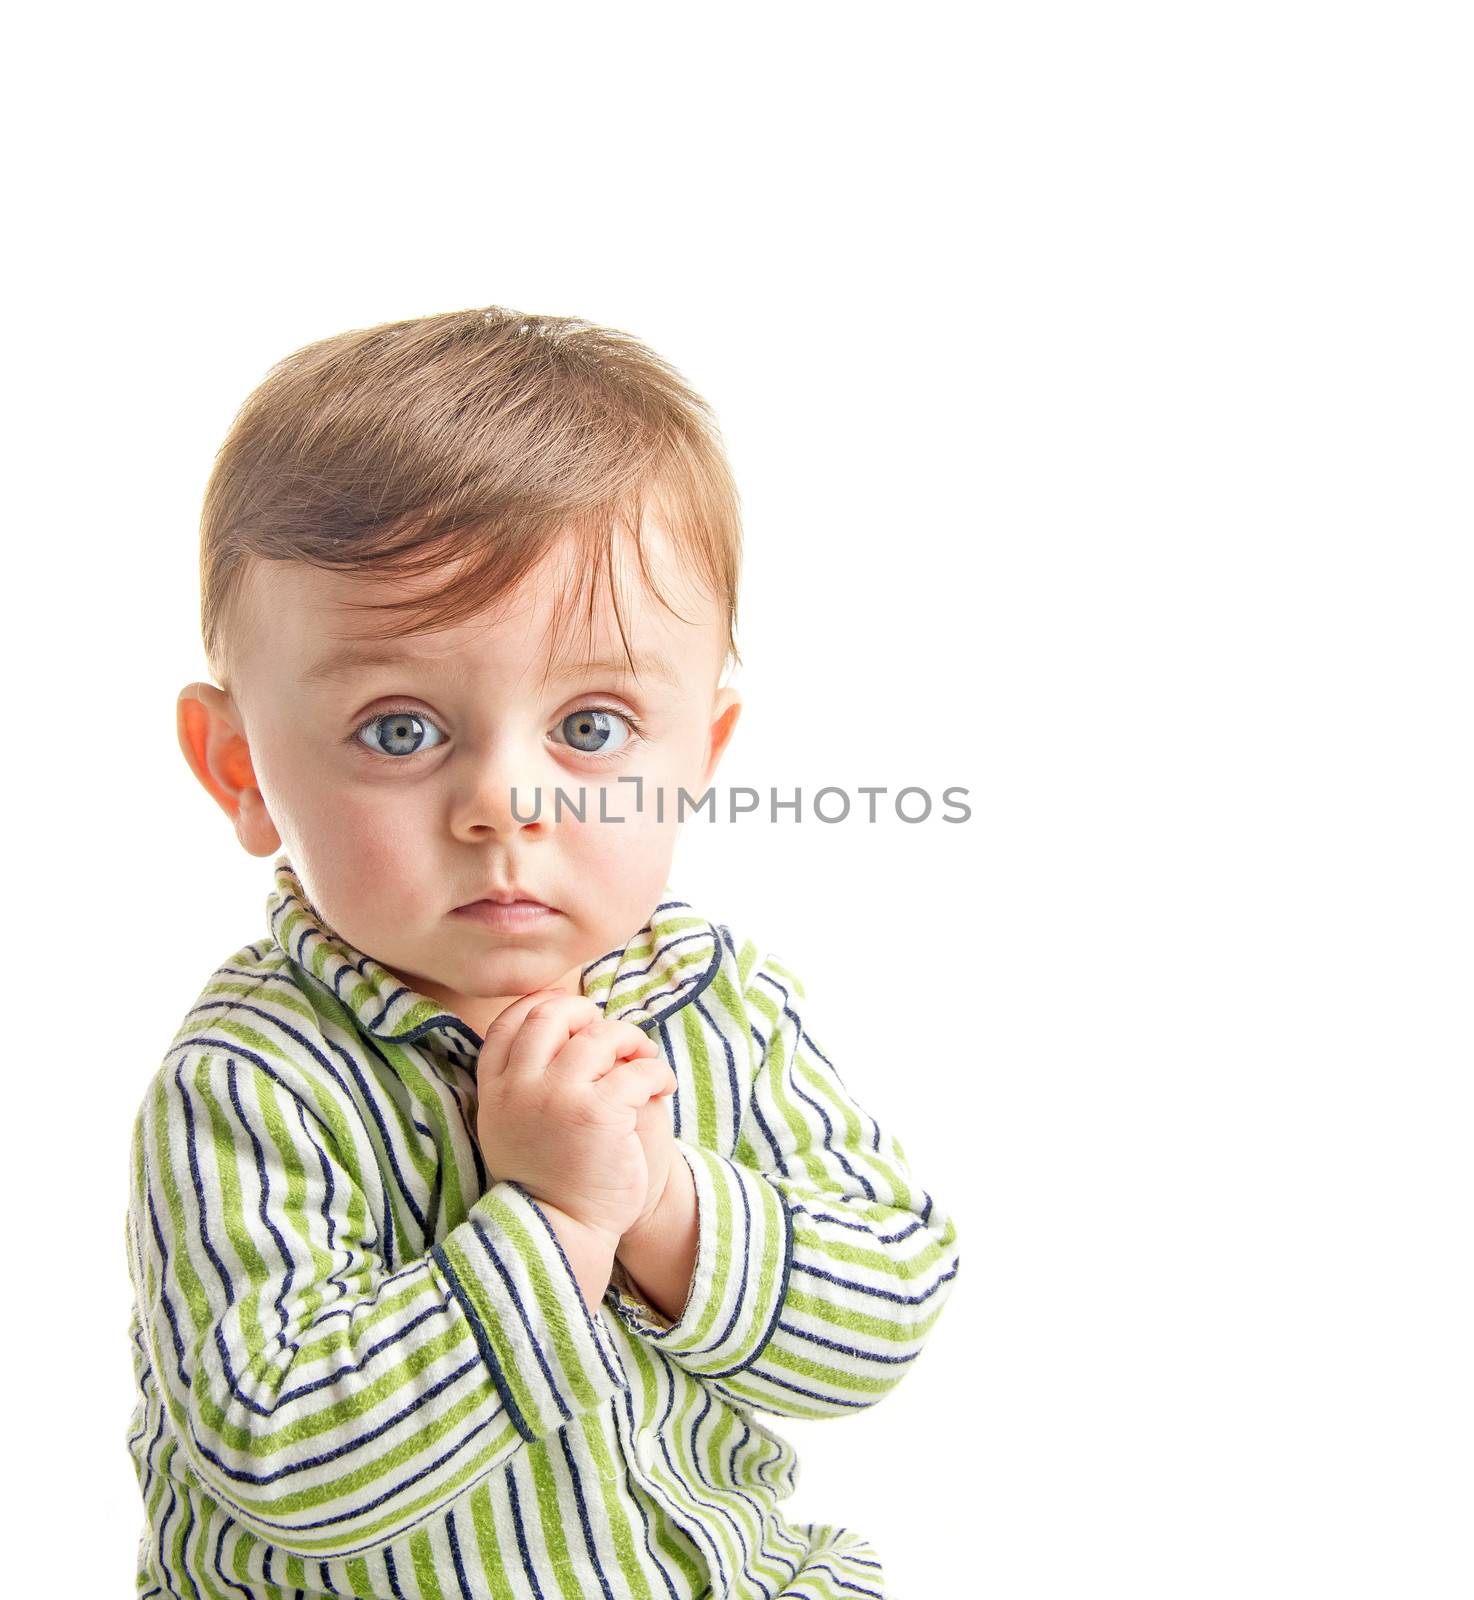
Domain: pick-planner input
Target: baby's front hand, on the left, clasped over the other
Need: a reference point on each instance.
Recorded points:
(561, 1089)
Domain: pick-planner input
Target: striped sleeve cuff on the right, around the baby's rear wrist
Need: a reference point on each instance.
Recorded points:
(745, 1250)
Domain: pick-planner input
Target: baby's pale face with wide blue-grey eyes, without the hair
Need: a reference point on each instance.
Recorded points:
(391, 785)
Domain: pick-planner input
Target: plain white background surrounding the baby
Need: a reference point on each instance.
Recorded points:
(1099, 385)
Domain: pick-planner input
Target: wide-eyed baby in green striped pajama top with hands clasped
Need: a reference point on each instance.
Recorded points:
(481, 1204)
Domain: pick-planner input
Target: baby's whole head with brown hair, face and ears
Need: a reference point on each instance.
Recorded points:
(449, 567)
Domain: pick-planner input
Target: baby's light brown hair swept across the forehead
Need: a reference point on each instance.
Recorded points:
(475, 438)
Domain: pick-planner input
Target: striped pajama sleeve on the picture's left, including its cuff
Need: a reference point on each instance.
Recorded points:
(324, 1401)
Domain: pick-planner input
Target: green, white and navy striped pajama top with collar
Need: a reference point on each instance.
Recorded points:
(366, 1366)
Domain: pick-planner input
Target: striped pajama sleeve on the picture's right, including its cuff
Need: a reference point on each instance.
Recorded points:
(820, 1265)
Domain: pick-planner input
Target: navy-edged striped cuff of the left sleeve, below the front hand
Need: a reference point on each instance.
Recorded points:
(548, 1356)
